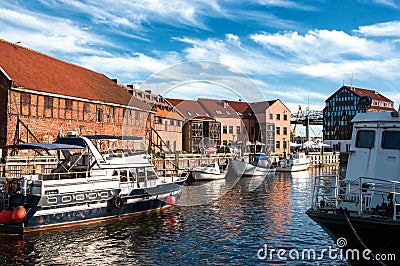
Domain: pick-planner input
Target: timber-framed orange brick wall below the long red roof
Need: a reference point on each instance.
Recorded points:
(47, 116)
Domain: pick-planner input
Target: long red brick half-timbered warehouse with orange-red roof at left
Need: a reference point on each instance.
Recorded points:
(50, 96)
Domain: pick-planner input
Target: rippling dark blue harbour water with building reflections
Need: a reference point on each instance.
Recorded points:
(230, 229)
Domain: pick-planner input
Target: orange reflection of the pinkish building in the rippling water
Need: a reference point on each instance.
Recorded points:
(277, 201)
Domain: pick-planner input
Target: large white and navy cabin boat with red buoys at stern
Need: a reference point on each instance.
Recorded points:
(87, 185)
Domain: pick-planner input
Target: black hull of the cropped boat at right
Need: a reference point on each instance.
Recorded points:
(380, 235)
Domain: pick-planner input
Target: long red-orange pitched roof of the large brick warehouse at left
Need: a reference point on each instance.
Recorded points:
(36, 71)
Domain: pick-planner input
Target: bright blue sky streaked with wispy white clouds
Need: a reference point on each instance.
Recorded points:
(298, 51)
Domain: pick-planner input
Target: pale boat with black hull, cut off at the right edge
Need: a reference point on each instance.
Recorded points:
(361, 211)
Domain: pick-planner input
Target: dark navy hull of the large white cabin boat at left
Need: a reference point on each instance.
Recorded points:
(137, 202)
